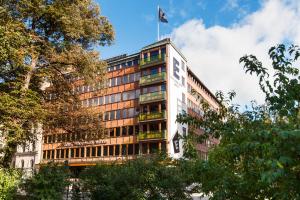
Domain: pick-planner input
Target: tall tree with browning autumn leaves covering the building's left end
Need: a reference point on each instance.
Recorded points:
(46, 43)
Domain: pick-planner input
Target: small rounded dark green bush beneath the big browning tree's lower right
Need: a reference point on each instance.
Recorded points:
(49, 182)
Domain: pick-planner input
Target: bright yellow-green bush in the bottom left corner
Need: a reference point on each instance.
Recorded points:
(9, 181)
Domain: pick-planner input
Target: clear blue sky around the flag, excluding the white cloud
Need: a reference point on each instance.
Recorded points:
(135, 21)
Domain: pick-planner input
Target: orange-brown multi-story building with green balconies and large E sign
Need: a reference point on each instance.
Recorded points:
(145, 92)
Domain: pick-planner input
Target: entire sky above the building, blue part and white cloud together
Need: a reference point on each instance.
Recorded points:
(212, 34)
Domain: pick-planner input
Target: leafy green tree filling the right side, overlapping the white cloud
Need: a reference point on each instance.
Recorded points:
(258, 155)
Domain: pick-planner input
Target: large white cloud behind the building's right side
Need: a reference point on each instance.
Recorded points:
(213, 53)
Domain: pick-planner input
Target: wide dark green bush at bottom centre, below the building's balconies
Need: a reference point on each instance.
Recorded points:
(143, 178)
